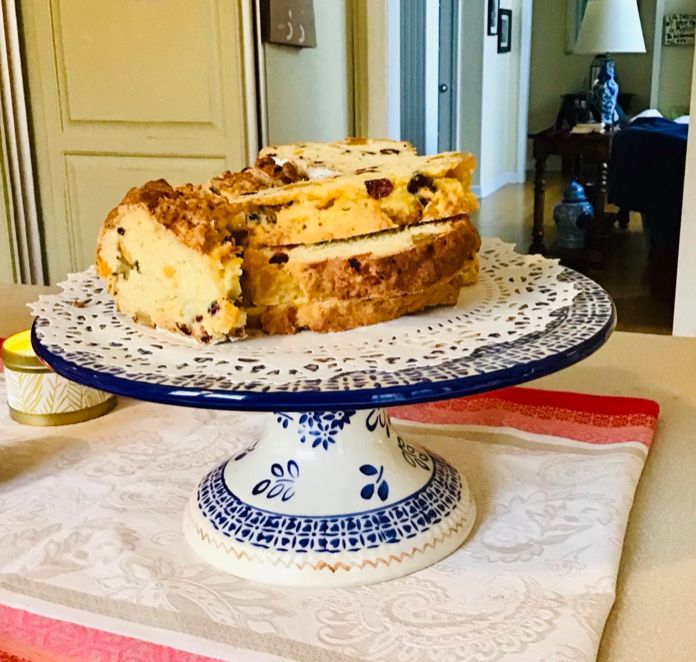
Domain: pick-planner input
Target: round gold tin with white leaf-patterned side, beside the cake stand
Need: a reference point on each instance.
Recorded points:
(37, 395)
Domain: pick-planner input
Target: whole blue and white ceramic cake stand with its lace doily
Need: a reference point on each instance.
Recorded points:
(330, 494)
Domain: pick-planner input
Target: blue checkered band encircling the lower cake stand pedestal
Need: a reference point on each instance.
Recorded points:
(350, 532)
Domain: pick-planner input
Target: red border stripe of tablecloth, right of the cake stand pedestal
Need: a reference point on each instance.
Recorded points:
(589, 418)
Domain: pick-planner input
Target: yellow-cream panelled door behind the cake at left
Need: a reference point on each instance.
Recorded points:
(122, 92)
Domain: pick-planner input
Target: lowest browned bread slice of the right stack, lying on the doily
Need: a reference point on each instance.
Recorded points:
(342, 314)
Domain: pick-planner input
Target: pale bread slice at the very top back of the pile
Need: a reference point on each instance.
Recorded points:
(319, 160)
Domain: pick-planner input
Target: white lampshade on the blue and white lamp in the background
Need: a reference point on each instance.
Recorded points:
(611, 26)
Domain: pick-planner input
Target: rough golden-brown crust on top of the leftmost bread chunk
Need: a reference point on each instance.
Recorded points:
(198, 218)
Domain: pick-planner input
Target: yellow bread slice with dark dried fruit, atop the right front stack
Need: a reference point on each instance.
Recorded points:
(406, 190)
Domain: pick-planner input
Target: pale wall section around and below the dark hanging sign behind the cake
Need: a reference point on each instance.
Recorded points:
(308, 89)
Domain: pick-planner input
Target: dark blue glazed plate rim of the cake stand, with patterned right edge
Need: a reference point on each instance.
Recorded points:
(420, 390)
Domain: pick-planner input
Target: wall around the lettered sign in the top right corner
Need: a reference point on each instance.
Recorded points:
(675, 67)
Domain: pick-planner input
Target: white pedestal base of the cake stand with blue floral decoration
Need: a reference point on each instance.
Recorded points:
(332, 498)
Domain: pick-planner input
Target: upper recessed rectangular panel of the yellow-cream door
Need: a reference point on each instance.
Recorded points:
(110, 74)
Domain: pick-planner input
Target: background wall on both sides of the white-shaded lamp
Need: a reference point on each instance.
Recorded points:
(554, 72)
